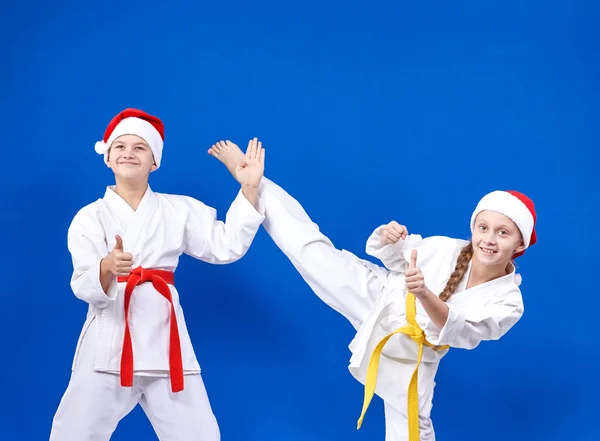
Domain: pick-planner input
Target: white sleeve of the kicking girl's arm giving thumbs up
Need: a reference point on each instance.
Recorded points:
(466, 327)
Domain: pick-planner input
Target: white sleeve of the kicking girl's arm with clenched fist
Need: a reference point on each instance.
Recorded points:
(393, 256)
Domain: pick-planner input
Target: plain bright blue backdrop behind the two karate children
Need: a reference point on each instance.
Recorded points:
(395, 110)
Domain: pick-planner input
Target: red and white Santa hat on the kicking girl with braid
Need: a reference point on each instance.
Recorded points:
(514, 205)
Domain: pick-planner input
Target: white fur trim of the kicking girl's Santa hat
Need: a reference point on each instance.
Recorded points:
(510, 206)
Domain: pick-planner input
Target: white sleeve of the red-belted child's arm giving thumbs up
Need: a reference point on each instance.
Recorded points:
(87, 245)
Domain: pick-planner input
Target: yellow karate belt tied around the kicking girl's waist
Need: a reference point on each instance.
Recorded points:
(416, 333)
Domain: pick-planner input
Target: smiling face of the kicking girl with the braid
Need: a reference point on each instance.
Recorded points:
(495, 239)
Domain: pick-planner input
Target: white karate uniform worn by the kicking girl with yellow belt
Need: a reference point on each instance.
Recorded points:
(373, 298)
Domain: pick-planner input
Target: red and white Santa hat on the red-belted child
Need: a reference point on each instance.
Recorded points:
(134, 122)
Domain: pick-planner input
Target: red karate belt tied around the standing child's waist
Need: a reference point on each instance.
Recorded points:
(160, 280)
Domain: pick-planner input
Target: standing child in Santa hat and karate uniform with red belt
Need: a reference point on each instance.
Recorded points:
(134, 346)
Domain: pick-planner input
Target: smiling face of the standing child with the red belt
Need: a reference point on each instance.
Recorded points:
(131, 158)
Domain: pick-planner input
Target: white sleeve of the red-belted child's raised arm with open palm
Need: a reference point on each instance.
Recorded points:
(214, 241)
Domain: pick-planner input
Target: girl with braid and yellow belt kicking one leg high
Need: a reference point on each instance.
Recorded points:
(435, 293)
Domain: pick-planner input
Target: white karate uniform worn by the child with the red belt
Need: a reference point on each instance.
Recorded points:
(161, 229)
